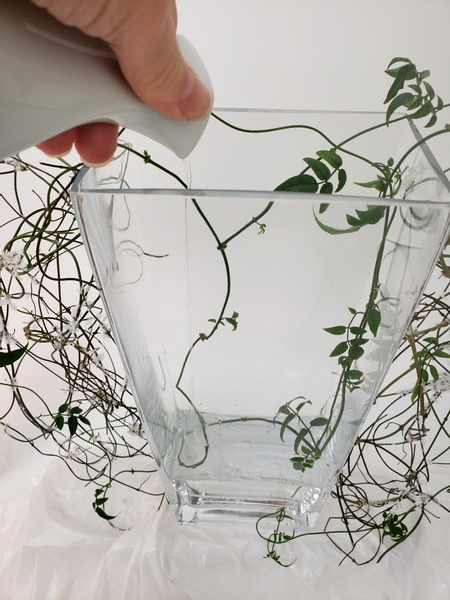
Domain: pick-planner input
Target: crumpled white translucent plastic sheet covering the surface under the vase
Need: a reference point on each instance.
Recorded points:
(54, 547)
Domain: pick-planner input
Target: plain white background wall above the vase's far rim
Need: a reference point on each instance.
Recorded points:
(315, 54)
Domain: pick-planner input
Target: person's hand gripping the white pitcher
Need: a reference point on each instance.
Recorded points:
(142, 34)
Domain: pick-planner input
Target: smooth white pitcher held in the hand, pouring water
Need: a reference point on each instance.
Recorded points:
(54, 77)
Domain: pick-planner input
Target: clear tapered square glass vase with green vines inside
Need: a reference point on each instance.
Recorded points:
(256, 326)
